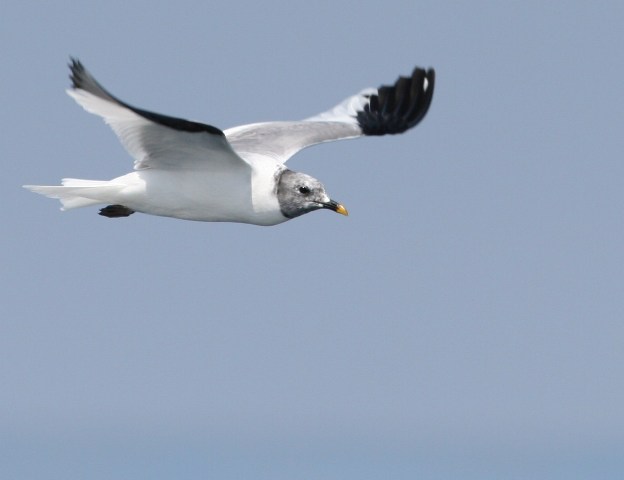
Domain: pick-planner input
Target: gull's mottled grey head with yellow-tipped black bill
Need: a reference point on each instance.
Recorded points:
(298, 193)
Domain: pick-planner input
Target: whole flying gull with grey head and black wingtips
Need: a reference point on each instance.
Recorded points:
(194, 171)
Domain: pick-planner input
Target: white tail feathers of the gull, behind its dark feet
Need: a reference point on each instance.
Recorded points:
(76, 193)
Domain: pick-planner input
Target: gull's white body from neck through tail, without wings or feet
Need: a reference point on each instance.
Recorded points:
(190, 194)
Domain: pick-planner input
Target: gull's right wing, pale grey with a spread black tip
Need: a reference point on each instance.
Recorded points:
(374, 111)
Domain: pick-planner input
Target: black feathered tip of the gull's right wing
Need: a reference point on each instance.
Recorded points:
(399, 107)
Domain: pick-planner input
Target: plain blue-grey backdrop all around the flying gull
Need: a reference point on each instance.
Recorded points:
(465, 321)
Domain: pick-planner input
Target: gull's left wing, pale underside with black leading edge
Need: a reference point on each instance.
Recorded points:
(154, 140)
